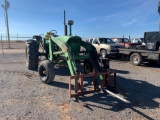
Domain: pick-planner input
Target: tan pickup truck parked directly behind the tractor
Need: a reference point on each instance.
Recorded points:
(105, 46)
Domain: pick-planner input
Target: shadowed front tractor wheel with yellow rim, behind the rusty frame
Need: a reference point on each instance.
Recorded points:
(88, 67)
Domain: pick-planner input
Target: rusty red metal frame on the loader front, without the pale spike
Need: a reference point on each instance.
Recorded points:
(79, 81)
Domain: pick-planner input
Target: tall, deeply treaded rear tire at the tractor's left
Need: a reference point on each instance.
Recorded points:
(32, 54)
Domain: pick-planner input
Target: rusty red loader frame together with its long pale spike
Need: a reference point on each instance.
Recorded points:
(105, 86)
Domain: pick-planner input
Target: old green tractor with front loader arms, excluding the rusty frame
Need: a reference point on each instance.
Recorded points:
(62, 50)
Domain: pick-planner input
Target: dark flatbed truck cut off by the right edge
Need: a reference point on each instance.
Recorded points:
(149, 52)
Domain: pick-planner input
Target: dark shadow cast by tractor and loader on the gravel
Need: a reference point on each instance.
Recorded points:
(140, 94)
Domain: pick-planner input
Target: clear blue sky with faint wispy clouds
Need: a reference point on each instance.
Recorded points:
(92, 18)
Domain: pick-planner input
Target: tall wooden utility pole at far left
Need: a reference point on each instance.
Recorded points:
(6, 6)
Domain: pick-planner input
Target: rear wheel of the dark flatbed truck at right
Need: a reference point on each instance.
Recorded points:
(136, 59)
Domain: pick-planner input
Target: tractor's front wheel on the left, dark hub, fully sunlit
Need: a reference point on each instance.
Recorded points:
(46, 71)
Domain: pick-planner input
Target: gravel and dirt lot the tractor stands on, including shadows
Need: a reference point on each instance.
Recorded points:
(24, 97)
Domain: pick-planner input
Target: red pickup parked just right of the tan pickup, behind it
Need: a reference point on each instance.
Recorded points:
(123, 41)
